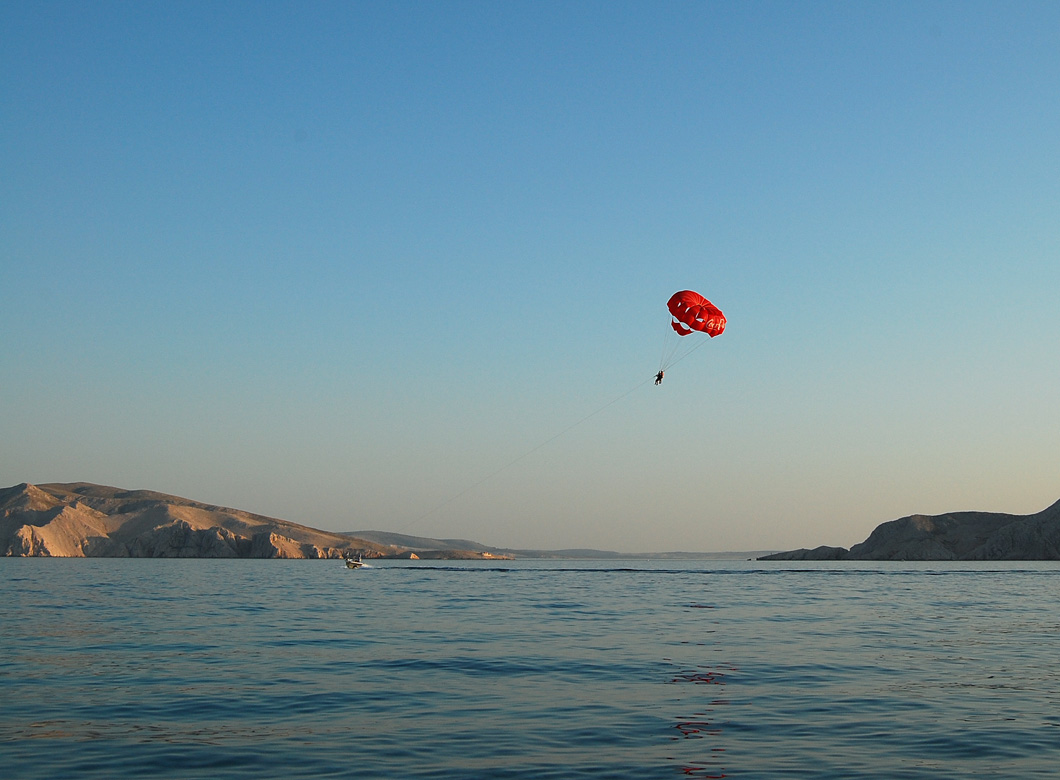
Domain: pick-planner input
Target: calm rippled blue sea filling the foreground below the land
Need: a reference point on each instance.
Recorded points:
(274, 669)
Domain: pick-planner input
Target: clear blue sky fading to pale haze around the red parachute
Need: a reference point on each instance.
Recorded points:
(342, 262)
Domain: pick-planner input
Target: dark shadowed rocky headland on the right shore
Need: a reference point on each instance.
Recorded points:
(953, 537)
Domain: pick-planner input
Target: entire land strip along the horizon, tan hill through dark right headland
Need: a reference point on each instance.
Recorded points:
(81, 520)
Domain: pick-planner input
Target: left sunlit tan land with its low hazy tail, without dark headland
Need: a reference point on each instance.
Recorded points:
(81, 520)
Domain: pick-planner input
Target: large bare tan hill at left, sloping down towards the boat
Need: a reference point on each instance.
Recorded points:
(81, 520)
